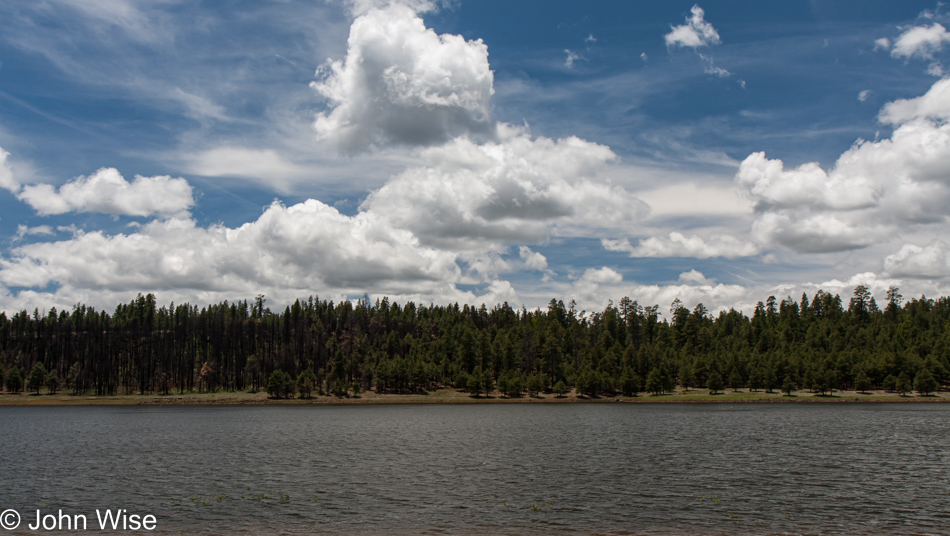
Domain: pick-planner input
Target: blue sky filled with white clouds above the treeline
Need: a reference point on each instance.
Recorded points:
(472, 152)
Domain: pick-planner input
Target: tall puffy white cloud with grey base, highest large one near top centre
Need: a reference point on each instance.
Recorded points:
(401, 84)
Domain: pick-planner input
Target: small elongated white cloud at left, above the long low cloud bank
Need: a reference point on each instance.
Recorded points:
(106, 191)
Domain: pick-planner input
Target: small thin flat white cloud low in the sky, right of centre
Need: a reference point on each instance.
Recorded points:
(679, 245)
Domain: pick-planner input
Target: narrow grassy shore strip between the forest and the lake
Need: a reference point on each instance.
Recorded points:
(452, 396)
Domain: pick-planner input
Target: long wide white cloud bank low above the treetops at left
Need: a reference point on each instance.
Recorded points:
(307, 247)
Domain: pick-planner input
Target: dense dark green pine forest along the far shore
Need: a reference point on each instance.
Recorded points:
(321, 347)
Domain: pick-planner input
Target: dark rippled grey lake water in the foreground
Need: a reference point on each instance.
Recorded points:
(500, 469)
